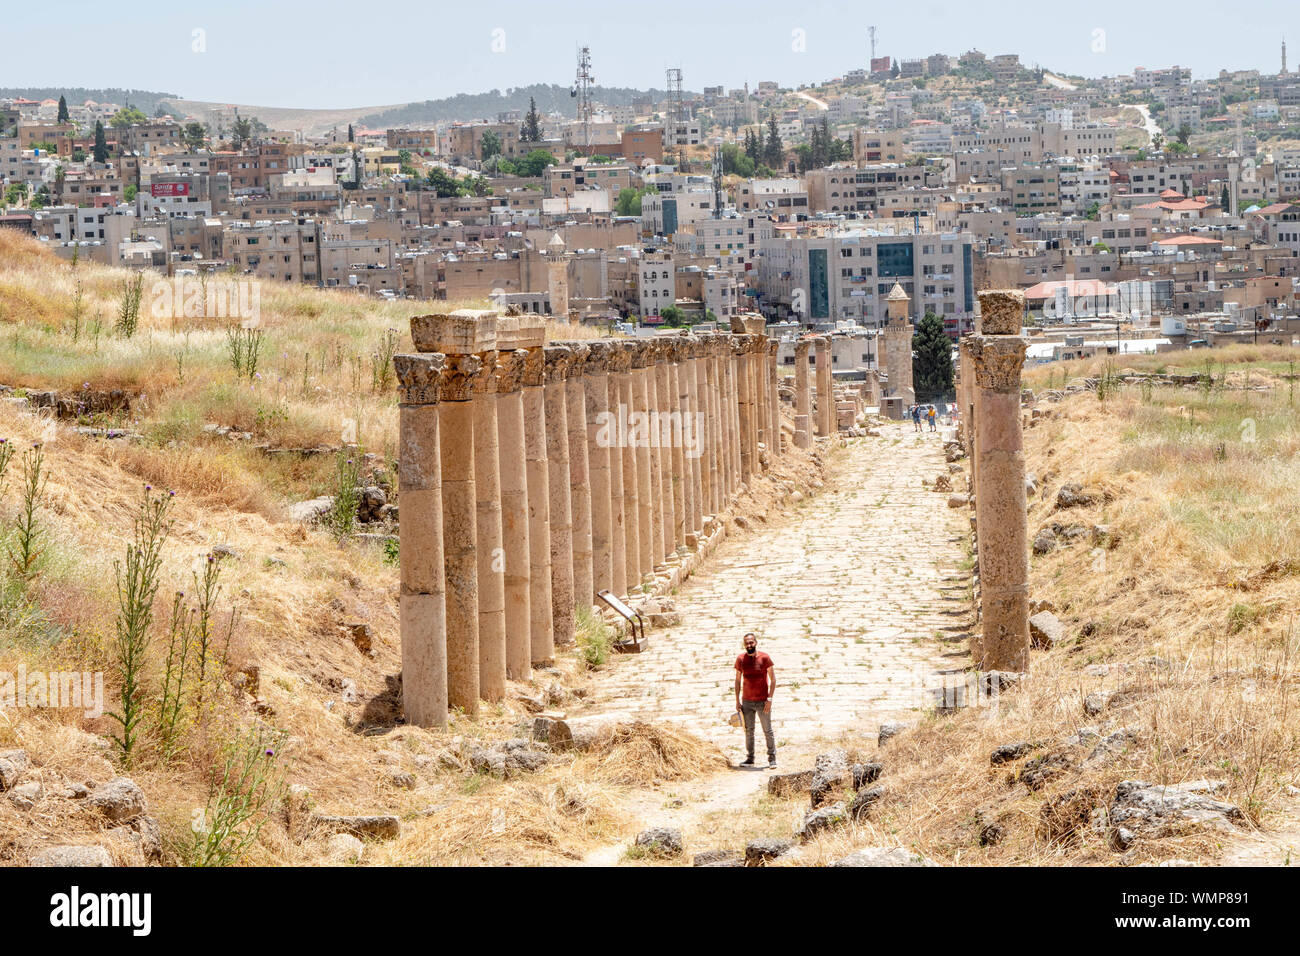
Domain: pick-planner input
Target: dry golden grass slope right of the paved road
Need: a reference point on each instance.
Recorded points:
(1189, 603)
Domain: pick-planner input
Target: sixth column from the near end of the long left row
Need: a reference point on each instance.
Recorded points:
(558, 361)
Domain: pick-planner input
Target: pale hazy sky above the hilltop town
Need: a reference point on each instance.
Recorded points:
(344, 54)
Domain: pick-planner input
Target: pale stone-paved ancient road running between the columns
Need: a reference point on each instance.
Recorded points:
(859, 598)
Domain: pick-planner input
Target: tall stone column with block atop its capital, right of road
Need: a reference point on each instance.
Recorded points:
(1004, 561)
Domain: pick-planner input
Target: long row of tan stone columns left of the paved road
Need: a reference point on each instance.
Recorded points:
(535, 477)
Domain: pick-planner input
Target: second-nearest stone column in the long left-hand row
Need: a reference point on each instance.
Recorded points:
(461, 529)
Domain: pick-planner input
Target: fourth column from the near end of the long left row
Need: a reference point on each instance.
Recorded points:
(514, 512)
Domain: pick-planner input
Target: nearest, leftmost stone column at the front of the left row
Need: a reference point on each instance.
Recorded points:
(422, 609)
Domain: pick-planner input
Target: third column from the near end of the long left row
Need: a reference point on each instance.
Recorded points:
(492, 569)
